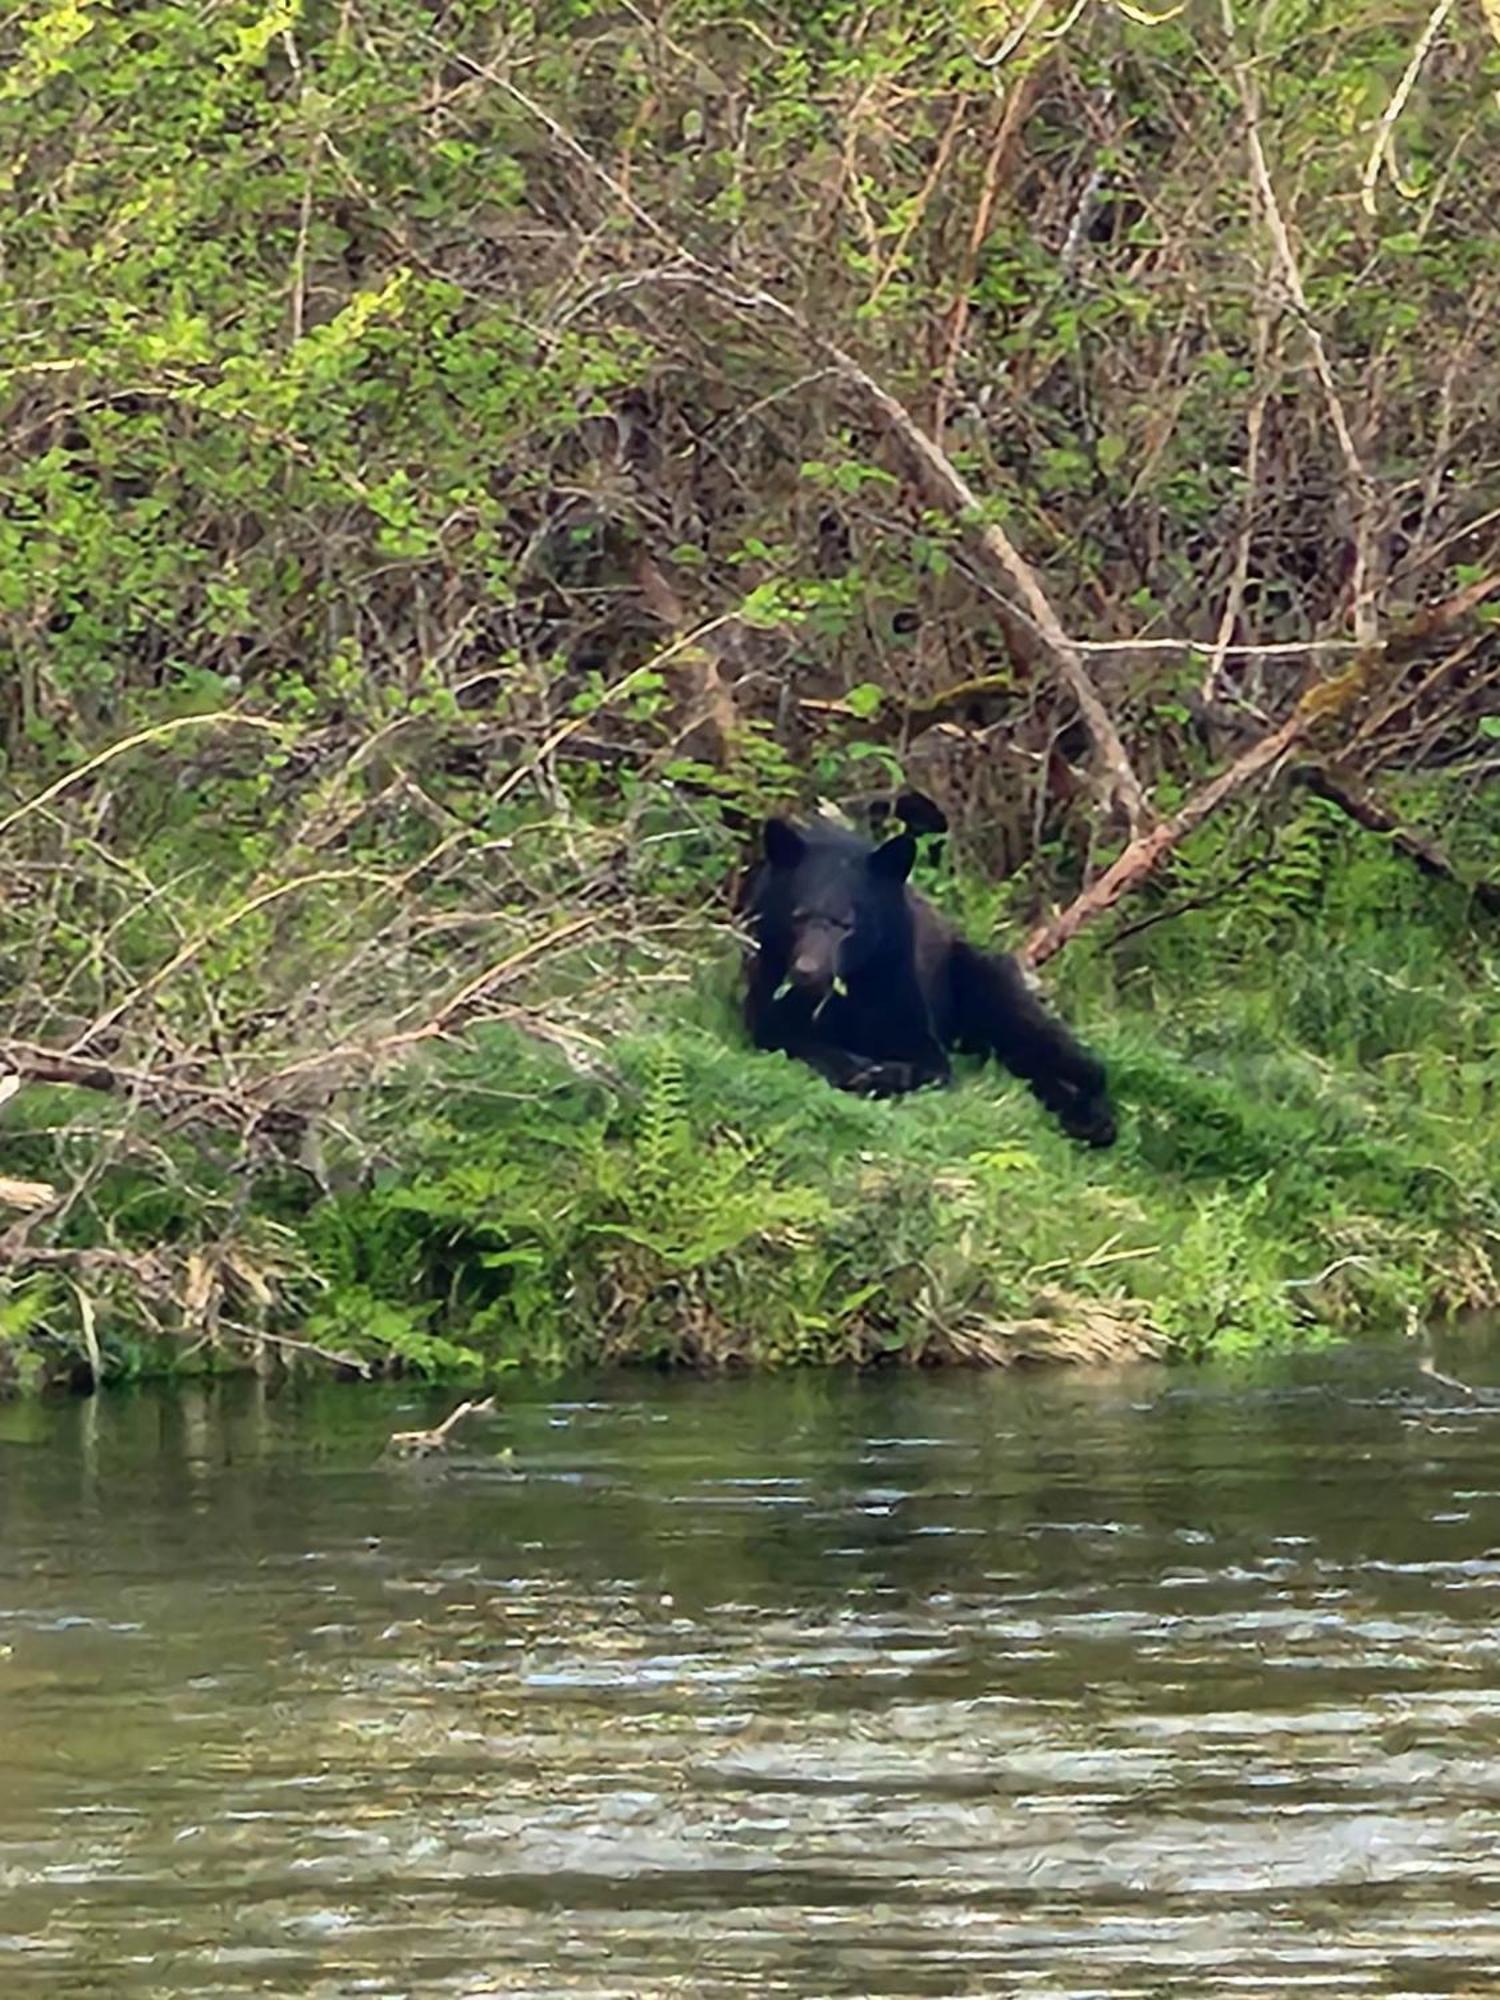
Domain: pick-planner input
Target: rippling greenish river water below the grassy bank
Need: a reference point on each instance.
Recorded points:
(1159, 1685)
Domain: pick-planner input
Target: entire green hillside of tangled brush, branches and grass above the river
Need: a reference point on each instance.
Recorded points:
(459, 467)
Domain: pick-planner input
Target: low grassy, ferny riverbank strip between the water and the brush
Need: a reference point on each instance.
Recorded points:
(1309, 1149)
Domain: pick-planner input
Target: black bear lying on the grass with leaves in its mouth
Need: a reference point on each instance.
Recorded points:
(859, 977)
